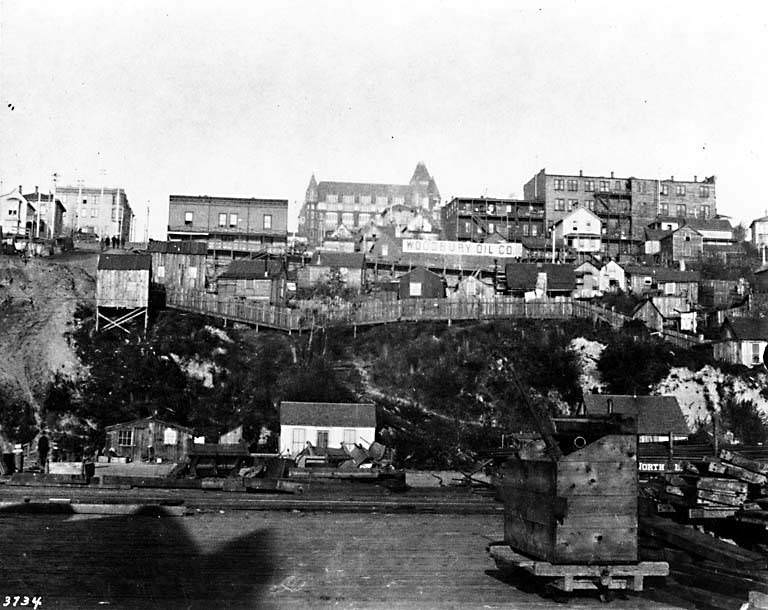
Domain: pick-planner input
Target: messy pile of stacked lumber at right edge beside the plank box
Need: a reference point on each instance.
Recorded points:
(716, 488)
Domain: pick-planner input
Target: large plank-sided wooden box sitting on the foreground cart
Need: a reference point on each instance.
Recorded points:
(581, 509)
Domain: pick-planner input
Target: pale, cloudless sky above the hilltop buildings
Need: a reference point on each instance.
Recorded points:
(250, 98)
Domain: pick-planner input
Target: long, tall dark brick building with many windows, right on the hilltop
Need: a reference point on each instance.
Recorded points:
(626, 206)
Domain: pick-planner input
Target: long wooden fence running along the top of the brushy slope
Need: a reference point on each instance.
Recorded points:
(380, 312)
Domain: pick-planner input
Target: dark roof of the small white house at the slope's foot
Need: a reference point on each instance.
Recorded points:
(328, 414)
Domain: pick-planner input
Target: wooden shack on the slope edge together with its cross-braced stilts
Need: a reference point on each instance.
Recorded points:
(122, 289)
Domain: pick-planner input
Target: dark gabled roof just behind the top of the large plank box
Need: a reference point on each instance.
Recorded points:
(655, 415)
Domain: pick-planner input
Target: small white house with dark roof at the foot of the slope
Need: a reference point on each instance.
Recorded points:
(325, 424)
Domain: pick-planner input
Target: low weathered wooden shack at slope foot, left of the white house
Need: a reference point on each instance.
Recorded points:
(148, 438)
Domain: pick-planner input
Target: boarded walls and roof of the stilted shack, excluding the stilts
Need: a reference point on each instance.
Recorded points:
(122, 280)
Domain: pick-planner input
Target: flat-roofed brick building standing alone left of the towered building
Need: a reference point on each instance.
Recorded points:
(229, 225)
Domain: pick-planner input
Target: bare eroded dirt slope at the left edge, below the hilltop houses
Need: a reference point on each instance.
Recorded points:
(37, 305)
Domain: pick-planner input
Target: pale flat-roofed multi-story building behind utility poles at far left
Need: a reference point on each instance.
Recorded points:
(100, 210)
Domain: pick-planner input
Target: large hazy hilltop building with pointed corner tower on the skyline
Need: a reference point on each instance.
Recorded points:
(328, 205)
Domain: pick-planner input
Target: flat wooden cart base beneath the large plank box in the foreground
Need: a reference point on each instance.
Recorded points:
(571, 577)
